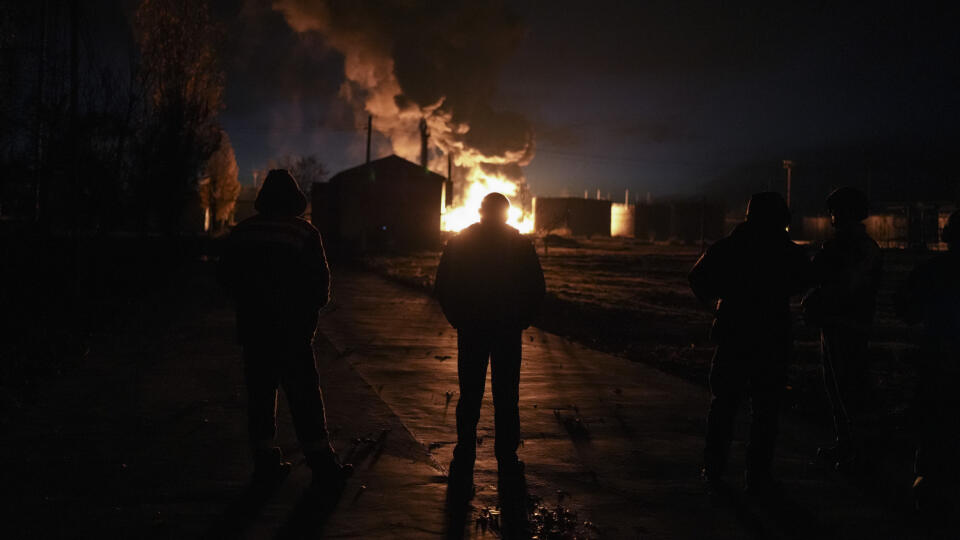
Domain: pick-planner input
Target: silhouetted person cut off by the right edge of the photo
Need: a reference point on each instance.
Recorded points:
(931, 295)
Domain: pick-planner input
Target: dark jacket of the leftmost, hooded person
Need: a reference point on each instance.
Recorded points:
(276, 270)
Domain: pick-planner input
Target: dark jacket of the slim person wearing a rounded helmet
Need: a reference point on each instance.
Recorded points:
(846, 272)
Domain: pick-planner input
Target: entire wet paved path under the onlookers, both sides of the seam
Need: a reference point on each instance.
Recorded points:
(147, 440)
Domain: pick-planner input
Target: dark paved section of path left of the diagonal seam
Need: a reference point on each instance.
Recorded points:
(147, 439)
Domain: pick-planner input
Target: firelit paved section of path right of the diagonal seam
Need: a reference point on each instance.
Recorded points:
(617, 442)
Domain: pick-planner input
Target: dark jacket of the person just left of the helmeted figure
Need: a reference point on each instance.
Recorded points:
(753, 272)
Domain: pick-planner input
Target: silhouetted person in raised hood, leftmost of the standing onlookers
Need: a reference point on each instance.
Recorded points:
(275, 268)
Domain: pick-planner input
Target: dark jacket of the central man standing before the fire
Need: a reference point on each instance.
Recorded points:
(490, 277)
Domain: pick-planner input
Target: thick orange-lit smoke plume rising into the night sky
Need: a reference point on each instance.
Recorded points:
(405, 60)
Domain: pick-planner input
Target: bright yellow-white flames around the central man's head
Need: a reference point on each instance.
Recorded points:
(478, 185)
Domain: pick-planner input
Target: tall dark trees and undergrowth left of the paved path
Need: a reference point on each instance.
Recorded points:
(110, 150)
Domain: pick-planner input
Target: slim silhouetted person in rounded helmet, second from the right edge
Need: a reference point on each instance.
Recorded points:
(847, 271)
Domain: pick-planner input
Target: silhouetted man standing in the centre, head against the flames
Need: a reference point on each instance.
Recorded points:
(490, 286)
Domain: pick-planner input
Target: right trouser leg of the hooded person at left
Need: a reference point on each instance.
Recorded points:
(302, 386)
